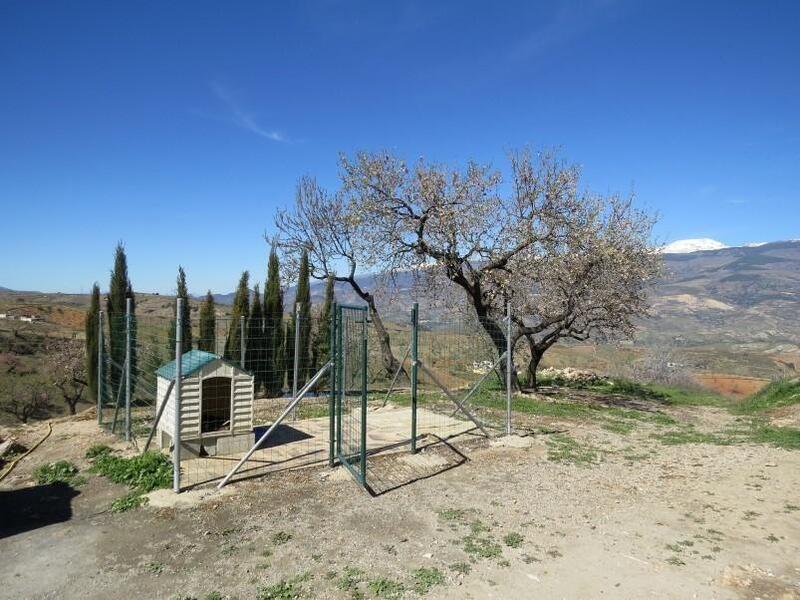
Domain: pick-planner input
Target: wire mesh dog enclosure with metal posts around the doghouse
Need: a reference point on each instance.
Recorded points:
(239, 380)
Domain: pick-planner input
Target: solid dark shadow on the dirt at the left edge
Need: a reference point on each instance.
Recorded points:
(26, 509)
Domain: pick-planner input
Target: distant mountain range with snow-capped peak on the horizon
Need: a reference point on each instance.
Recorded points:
(745, 296)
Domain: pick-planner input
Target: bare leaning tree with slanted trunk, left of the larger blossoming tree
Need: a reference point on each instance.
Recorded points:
(331, 229)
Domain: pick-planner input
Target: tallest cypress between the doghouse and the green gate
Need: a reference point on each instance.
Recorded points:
(273, 328)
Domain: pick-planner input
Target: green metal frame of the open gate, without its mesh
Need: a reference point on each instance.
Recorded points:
(359, 469)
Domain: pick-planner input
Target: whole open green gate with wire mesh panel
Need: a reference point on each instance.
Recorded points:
(351, 390)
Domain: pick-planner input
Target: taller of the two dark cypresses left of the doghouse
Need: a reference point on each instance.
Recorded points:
(119, 290)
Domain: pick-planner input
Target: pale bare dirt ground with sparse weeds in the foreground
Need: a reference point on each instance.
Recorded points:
(498, 518)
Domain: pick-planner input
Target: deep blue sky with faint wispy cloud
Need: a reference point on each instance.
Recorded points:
(179, 127)
